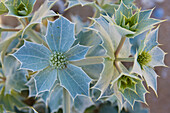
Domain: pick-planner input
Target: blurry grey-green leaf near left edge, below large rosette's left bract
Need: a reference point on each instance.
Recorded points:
(15, 79)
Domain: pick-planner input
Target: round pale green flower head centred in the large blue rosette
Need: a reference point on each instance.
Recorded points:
(58, 60)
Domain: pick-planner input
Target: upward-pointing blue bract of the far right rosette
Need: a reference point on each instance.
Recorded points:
(151, 40)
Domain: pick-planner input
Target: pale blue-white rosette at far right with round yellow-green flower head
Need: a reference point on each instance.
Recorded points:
(147, 56)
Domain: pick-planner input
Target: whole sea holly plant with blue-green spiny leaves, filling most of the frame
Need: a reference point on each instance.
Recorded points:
(78, 67)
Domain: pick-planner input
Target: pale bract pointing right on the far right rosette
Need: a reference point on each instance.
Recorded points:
(158, 56)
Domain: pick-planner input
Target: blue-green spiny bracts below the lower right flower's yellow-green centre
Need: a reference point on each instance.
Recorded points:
(132, 96)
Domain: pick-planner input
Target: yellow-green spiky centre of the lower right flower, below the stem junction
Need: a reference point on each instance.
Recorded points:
(126, 82)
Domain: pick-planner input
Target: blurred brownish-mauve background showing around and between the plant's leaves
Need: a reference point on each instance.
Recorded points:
(160, 104)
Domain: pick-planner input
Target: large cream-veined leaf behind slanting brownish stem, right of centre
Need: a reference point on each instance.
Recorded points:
(111, 37)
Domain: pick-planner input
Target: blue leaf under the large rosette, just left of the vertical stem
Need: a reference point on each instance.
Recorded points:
(55, 98)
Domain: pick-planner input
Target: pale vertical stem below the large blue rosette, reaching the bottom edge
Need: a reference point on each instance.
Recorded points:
(66, 101)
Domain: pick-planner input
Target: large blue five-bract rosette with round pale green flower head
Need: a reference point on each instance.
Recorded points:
(53, 63)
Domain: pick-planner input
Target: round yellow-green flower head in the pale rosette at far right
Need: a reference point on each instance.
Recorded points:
(144, 58)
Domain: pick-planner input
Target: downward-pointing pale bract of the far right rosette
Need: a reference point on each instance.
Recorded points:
(150, 77)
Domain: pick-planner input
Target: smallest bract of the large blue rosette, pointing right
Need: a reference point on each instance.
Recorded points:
(77, 52)
